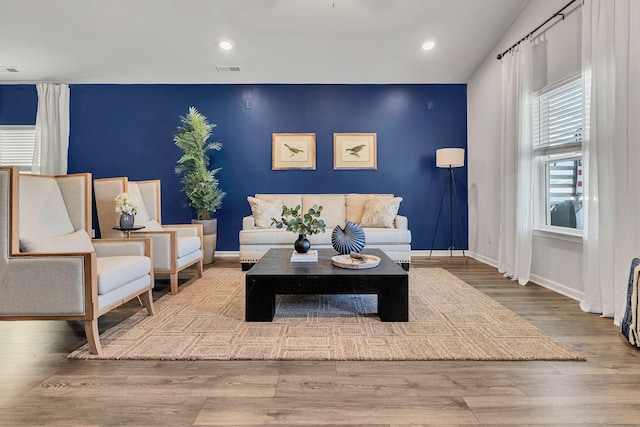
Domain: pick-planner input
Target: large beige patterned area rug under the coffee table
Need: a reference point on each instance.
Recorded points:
(448, 320)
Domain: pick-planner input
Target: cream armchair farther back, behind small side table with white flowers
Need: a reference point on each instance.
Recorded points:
(175, 247)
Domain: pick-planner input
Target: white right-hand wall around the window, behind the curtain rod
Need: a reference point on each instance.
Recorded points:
(557, 262)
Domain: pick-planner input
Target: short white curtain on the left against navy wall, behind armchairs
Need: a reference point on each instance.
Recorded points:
(52, 129)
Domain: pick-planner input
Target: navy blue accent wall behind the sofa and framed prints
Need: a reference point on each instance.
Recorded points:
(128, 130)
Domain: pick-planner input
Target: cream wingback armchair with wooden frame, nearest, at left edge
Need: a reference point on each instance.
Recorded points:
(50, 269)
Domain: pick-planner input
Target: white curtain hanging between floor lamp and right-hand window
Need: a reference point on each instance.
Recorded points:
(516, 197)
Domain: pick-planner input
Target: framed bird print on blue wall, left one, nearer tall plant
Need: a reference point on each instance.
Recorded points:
(293, 151)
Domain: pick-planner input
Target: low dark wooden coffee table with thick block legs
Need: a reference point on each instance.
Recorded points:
(275, 274)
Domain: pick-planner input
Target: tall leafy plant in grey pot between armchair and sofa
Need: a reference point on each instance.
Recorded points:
(200, 184)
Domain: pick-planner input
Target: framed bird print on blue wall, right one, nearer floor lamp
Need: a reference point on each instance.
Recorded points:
(354, 151)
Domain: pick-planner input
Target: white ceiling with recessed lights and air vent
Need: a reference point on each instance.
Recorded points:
(275, 41)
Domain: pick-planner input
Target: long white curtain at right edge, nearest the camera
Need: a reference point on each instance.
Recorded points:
(611, 151)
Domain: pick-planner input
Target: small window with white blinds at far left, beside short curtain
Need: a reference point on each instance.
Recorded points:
(16, 146)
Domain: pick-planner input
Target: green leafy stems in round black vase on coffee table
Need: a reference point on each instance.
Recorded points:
(301, 224)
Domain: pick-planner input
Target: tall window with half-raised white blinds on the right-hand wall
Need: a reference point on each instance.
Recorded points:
(558, 113)
